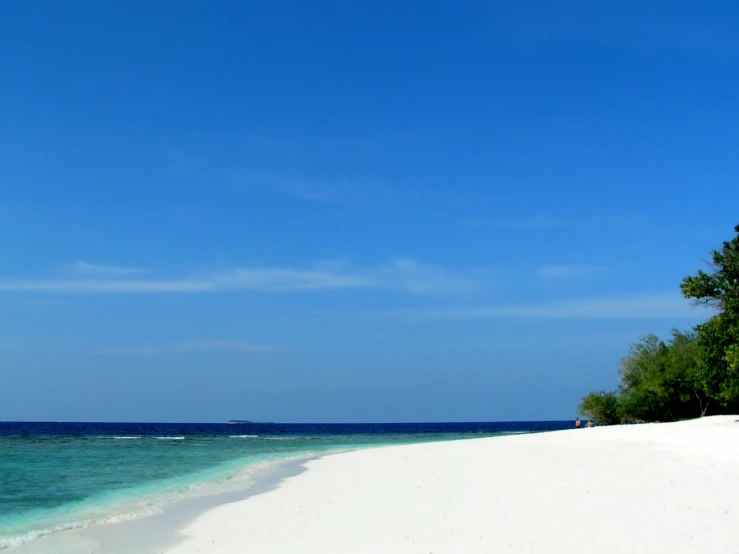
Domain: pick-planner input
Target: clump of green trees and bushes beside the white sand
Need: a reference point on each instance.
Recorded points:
(694, 373)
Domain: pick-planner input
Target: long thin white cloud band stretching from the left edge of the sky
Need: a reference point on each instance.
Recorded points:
(401, 274)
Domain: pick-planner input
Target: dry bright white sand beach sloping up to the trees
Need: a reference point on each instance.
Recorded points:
(651, 489)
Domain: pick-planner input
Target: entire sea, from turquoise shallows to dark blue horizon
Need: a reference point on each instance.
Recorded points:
(56, 476)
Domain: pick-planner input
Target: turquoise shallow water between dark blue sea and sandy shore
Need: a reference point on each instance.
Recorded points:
(52, 484)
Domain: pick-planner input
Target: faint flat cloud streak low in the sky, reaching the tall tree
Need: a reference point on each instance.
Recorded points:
(645, 306)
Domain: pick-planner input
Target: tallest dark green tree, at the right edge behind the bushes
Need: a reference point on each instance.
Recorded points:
(719, 337)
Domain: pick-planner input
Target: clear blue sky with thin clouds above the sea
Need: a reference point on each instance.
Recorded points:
(352, 211)
